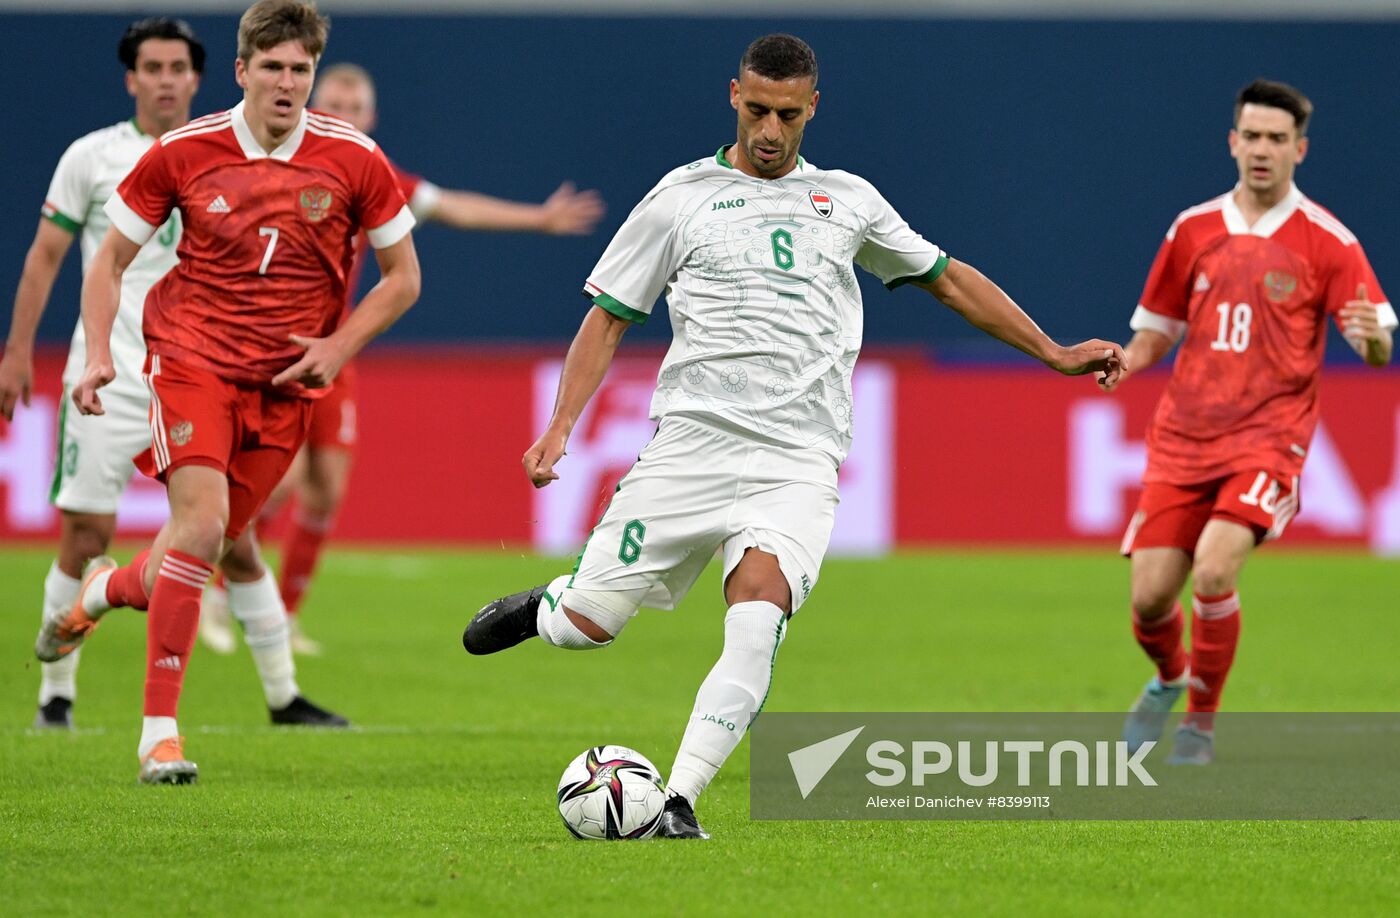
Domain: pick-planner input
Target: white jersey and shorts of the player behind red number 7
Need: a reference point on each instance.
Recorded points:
(94, 457)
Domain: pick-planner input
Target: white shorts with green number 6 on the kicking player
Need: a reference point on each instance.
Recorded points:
(698, 489)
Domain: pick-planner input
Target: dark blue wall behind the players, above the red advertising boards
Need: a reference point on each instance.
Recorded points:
(1051, 155)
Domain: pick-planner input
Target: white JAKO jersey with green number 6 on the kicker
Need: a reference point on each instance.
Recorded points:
(765, 307)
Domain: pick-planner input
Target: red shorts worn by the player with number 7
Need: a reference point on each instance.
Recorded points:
(247, 433)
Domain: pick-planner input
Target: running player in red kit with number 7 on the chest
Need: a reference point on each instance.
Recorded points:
(244, 334)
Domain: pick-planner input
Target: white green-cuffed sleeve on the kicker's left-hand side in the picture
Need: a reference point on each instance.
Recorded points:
(639, 262)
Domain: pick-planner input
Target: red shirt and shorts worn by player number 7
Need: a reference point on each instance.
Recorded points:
(267, 253)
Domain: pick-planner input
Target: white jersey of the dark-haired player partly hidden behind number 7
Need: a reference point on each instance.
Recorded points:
(85, 180)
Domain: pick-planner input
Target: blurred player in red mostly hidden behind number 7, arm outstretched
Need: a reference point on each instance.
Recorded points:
(321, 474)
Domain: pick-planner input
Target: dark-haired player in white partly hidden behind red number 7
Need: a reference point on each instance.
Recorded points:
(164, 62)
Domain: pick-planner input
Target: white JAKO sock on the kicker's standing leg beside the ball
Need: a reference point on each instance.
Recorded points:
(730, 698)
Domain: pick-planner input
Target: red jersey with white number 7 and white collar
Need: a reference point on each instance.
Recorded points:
(268, 237)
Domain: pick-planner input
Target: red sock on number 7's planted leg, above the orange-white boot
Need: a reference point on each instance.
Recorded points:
(170, 632)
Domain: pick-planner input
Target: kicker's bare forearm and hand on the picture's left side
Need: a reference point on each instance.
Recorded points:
(584, 370)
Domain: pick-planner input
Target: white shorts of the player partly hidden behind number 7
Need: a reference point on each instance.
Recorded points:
(94, 457)
